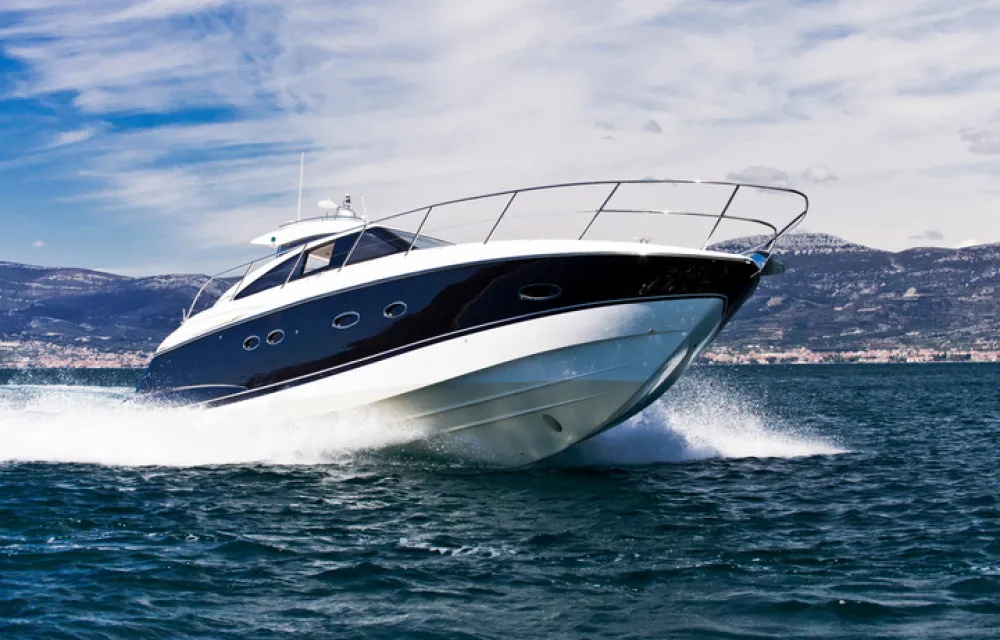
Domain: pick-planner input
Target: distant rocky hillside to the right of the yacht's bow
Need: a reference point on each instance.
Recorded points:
(840, 295)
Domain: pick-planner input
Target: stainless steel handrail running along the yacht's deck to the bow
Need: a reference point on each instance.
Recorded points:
(737, 187)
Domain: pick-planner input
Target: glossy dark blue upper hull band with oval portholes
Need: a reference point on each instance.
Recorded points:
(435, 306)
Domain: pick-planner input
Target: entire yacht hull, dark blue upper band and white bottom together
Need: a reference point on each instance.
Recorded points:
(503, 361)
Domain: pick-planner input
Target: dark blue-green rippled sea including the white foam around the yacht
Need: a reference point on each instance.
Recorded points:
(853, 501)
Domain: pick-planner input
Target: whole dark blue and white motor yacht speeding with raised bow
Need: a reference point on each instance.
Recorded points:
(499, 350)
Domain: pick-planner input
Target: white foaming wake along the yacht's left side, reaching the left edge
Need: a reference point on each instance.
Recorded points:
(91, 425)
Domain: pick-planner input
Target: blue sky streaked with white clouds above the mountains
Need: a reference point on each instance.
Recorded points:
(161, 135)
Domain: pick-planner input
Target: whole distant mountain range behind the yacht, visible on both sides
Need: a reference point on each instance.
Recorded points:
(835, 295)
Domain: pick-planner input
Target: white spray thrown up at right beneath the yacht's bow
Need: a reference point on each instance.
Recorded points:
(700, 418)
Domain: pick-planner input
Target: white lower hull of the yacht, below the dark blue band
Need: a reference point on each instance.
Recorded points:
(517, 393)
